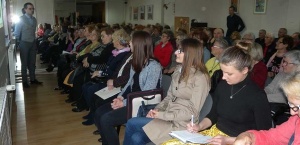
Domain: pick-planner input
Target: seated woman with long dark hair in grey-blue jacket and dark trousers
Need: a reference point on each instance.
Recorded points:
(145, 74)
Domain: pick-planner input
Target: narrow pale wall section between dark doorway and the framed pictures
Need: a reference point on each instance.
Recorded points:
(115, 11)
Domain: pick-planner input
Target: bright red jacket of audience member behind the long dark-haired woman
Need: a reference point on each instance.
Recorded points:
(163, 54)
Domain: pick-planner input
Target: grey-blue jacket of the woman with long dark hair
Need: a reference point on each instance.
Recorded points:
(148, 77)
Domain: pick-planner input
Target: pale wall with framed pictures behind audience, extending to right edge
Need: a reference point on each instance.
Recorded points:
(279, 13)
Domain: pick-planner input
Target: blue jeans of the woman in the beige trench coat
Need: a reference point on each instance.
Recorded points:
(134, 134)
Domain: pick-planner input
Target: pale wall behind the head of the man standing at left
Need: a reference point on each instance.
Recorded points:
(44, 9)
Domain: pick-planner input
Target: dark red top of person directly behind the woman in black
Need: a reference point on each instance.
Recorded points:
(259, 74)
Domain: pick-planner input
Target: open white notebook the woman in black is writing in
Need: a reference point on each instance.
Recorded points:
(186, 137)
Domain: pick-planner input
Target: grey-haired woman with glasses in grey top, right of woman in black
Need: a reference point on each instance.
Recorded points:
(278, 103)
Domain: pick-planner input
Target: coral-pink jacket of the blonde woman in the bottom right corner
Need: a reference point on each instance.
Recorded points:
(281, 134)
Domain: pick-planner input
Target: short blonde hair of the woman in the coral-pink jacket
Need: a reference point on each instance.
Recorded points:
(291, 85)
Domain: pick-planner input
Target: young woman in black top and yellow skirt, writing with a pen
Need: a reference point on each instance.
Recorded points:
(238, 105)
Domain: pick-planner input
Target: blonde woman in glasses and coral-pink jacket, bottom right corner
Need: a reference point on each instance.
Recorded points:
(288, 132)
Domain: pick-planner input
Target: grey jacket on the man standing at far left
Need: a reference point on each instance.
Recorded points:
(25, 30)
